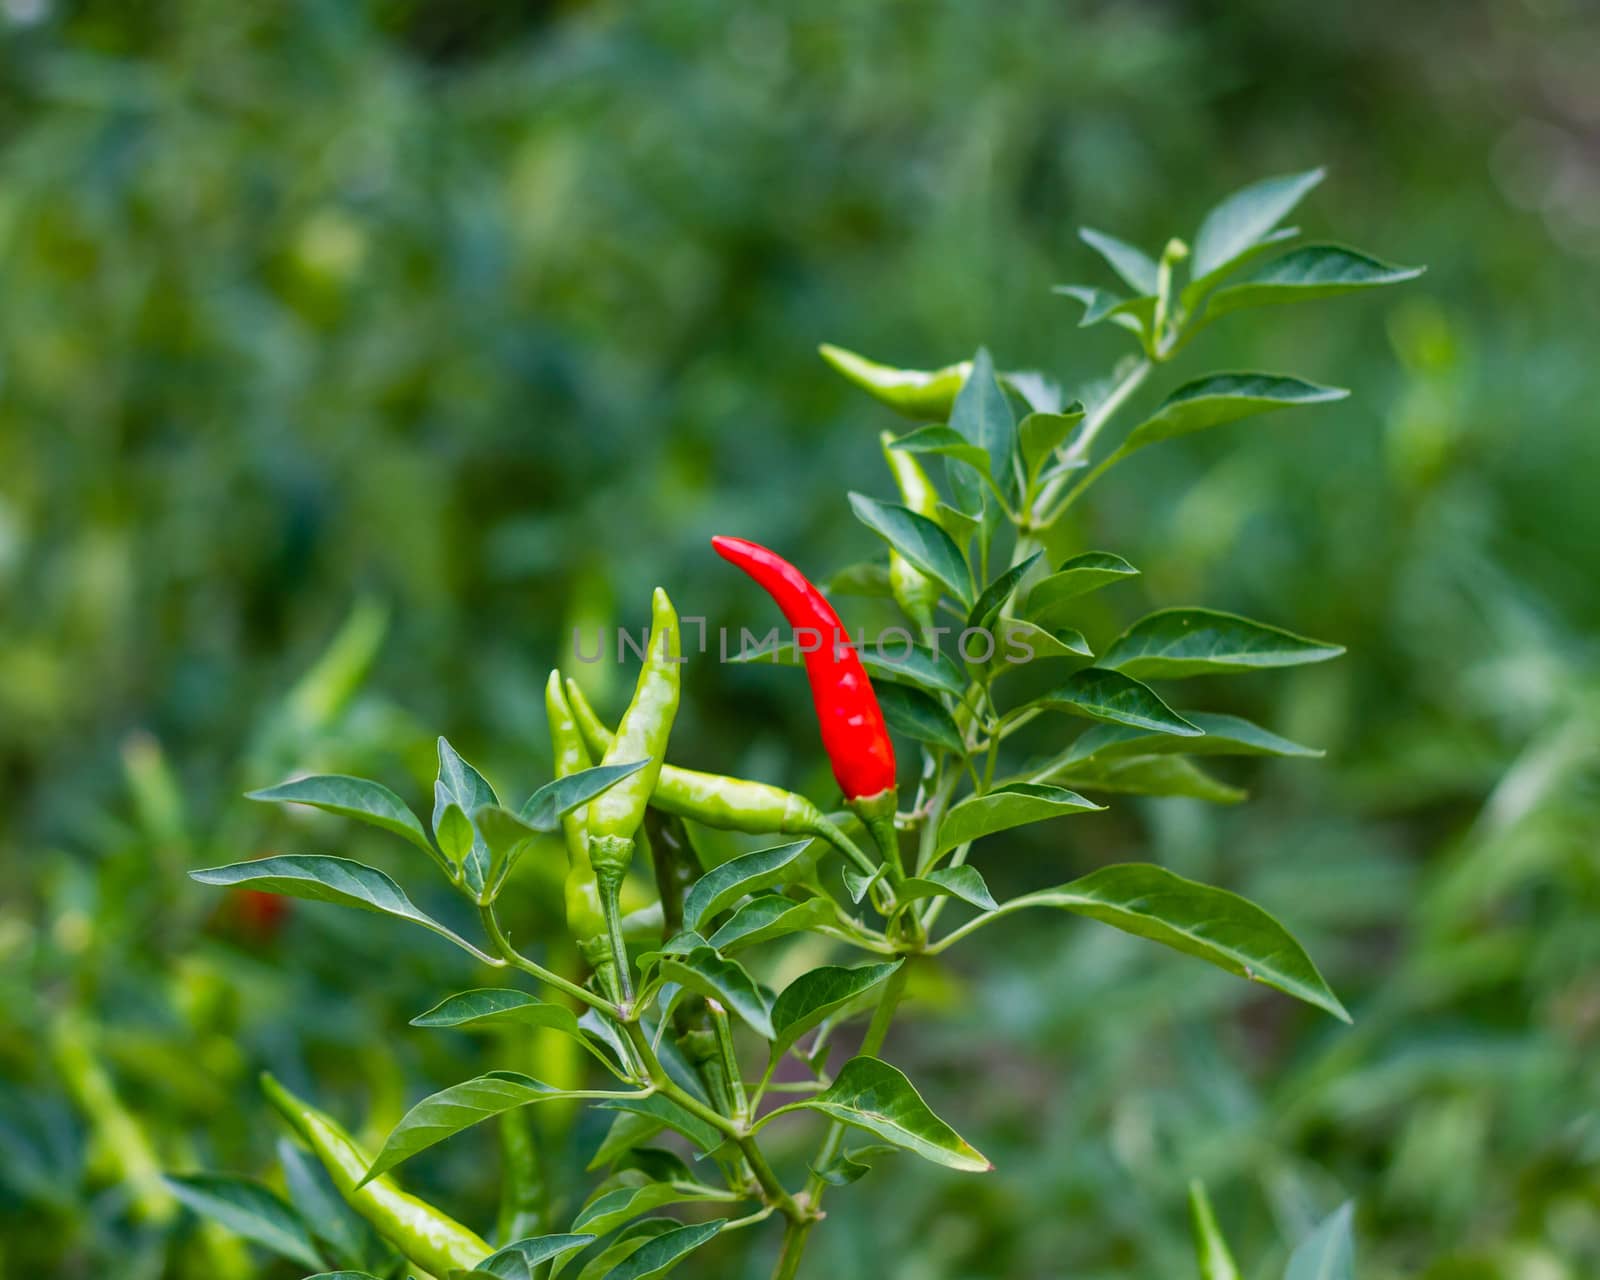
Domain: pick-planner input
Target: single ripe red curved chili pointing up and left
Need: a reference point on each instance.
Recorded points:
(854, 732)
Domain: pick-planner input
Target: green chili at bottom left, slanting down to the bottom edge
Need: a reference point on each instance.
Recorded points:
(425, 1236)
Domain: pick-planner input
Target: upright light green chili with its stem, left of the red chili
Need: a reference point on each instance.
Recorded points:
(642, 735)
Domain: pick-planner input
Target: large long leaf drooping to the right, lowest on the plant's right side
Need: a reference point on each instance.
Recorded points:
(1212, 924)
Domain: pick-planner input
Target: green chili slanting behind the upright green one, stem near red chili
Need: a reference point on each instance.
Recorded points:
(726, 804)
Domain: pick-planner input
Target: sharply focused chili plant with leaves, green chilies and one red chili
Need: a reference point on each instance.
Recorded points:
(673, 1006)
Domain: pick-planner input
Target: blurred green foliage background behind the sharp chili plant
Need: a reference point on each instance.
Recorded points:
(425, 330)
